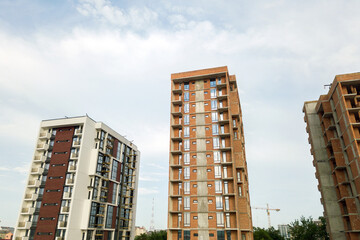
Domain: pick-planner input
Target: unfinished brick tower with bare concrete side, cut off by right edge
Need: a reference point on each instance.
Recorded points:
(333, 125)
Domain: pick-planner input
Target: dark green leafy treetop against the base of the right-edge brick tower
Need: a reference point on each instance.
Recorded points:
(307, 229)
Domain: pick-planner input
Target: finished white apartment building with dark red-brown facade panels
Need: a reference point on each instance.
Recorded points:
(82, 184)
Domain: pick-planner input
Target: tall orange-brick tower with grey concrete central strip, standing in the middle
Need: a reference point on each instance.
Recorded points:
(208, 187)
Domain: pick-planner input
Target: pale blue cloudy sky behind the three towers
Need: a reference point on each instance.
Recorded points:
(113, 60)
